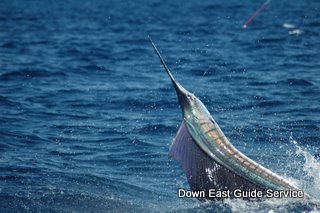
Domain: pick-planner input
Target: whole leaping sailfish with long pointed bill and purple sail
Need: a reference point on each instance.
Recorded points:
(207, 157)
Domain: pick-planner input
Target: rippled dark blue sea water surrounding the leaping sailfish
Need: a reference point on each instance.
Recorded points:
(87, 113)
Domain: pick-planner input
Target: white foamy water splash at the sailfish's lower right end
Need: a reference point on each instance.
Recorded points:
(310, 182)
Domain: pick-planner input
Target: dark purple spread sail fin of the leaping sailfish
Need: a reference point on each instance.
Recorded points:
(203, 172)
